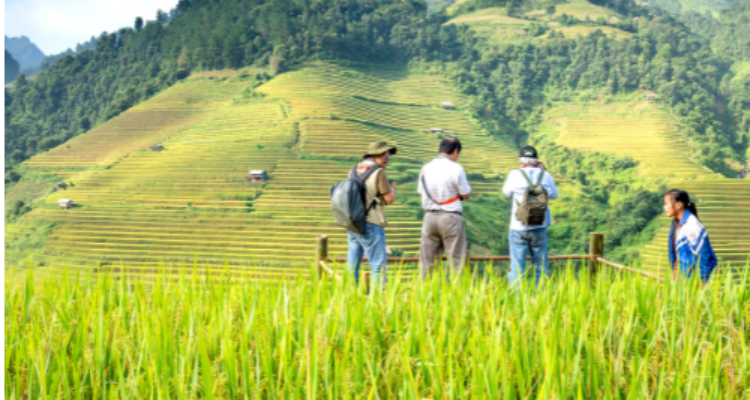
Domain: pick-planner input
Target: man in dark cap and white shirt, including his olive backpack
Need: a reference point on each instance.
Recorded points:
(529, 189)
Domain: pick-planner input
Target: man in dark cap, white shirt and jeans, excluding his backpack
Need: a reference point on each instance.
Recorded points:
(525, 239)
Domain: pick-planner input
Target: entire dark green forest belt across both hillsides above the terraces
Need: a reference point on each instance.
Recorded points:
(86, 89)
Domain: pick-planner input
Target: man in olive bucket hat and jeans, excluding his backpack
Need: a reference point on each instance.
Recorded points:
(378, 193)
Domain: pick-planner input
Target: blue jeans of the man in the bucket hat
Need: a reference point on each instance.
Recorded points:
(372, 243)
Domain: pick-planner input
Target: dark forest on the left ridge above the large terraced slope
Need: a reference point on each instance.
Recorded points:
(89, 88)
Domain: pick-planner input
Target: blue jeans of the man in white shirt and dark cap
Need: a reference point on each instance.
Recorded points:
(533, 242)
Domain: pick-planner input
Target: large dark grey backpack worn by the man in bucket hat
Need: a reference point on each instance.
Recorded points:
(349, 201)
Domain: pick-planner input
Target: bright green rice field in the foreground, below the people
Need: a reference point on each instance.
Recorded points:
(622, 336)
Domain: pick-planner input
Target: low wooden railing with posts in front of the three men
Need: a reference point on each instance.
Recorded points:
(595, 257)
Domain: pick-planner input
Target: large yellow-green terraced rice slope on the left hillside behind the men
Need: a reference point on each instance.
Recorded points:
(190, 205)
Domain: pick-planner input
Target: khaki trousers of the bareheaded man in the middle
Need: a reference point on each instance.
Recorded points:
(442, 232)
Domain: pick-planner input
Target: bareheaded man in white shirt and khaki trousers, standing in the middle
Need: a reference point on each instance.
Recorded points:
(443, 185)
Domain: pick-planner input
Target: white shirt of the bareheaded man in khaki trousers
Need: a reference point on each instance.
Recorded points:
(445, 180)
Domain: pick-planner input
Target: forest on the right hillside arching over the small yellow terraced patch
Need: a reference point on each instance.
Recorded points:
(663, 57)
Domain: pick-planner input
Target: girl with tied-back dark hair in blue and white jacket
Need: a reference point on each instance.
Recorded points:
(689, 246)
